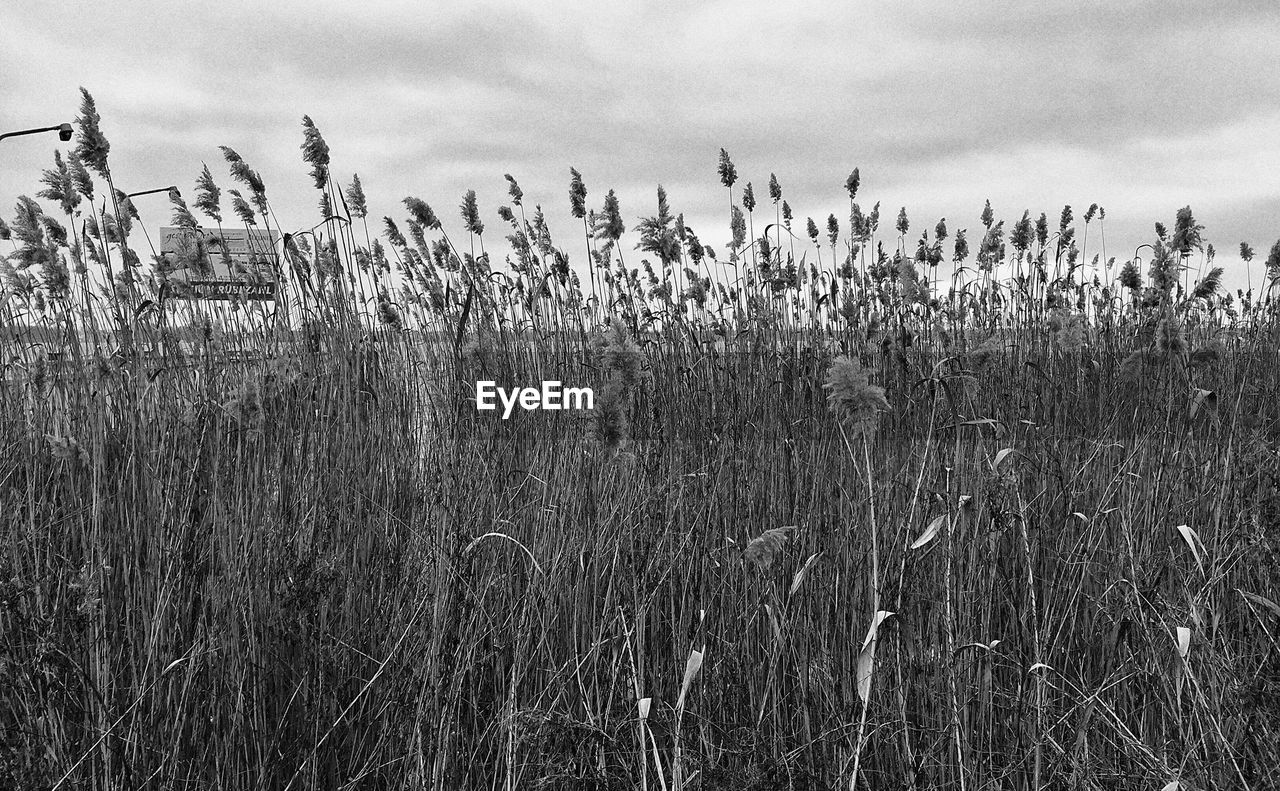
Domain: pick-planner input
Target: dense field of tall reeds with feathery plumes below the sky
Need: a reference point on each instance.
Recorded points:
(829, 523)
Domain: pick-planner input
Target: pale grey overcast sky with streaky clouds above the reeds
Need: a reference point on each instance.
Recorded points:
(1139, 107)
